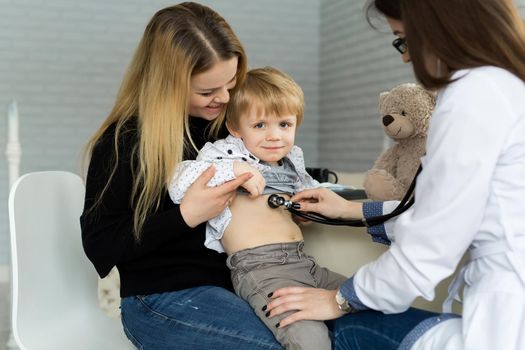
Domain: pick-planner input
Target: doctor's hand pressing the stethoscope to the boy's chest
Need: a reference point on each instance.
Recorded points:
(329, 204)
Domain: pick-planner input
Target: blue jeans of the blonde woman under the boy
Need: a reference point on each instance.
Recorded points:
(196, 318)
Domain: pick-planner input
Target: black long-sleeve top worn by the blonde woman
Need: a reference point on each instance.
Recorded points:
(170, 255)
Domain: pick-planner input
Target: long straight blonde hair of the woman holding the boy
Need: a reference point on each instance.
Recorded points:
(179, 42)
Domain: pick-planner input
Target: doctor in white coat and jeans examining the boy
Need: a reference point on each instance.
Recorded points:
(470, 196)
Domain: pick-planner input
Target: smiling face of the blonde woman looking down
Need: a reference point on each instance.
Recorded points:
(210, 90)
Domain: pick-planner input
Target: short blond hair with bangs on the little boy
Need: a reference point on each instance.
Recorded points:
(268, 90)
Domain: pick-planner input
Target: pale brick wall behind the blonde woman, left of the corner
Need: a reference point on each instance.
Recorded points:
(63, 61)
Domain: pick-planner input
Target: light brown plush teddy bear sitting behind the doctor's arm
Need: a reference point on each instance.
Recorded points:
(405, 113)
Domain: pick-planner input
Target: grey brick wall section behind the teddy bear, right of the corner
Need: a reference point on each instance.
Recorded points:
(357, 63)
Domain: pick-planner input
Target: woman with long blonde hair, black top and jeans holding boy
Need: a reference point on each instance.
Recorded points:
(175, 292)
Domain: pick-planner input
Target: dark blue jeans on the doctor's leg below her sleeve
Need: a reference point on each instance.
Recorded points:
(371, 330)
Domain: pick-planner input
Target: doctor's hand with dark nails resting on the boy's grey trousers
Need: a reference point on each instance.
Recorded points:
(309, 303)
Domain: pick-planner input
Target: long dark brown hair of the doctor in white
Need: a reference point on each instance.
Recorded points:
(463, 34)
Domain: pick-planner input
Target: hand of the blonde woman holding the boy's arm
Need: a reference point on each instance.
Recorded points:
(201, 203)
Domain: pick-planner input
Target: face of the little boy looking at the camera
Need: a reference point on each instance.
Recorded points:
(268, 137)
